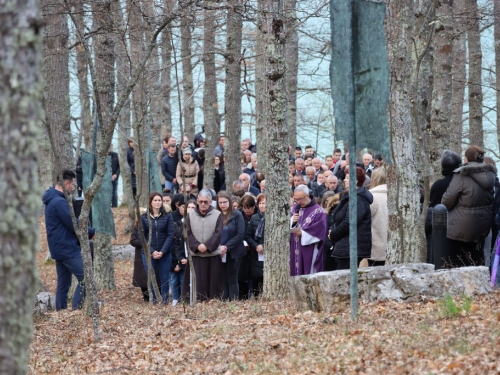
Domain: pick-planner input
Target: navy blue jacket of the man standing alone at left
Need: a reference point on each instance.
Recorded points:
(61, 235)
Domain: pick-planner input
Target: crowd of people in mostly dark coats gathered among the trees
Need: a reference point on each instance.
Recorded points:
(225, 231)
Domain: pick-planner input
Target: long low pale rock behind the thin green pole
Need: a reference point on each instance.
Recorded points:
(328, 291)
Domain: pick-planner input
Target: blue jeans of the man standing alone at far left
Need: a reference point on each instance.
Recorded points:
(65, 268)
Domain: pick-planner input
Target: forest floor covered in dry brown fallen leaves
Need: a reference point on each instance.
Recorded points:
(460, 336)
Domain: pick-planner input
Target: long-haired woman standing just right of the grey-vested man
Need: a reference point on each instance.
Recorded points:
(232, 247)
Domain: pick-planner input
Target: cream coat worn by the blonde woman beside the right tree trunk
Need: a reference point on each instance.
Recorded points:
(380, 221)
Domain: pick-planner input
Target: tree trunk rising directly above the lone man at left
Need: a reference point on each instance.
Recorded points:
(55, 71)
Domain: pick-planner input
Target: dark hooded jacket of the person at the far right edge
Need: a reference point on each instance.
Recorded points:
(469, 200)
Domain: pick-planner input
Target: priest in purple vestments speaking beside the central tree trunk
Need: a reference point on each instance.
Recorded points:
(308, 228)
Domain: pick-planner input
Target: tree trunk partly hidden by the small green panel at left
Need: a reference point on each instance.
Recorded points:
(104, 42)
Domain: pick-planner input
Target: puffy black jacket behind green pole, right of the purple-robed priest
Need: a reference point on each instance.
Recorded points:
(339, 234)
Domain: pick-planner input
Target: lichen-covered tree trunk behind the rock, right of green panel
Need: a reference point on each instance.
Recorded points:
(405, 238)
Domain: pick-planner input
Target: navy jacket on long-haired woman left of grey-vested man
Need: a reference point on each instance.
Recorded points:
(162, 234)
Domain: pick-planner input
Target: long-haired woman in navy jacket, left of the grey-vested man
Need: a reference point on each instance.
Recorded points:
(161, 241)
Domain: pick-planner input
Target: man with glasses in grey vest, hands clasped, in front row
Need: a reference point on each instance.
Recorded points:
(204, 234)
